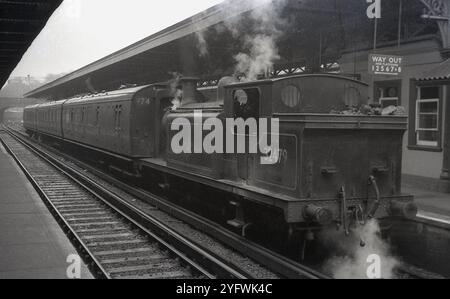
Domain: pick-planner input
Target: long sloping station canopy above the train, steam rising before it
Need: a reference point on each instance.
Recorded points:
(307, 36)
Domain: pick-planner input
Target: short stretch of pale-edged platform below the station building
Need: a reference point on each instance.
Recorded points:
(433, 205)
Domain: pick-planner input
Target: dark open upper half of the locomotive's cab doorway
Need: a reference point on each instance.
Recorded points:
(246, 103)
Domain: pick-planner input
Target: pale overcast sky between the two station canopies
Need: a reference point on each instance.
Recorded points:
(83, 31)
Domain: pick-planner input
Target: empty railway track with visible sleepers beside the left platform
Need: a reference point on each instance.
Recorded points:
(112, 242)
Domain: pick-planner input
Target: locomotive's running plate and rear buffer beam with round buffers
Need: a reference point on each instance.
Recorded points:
(295, 210)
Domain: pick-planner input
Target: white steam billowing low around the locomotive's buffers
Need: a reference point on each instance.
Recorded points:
(351, 260)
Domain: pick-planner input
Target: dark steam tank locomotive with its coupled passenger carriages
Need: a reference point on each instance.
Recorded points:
(330, 168)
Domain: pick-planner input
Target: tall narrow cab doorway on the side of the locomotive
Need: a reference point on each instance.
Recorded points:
(246, 104)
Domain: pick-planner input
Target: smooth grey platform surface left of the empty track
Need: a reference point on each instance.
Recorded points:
(32, 244)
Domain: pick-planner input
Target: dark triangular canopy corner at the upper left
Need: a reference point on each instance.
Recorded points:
(20, 22)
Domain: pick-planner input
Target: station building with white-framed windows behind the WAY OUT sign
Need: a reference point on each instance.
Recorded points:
(422, 87)
